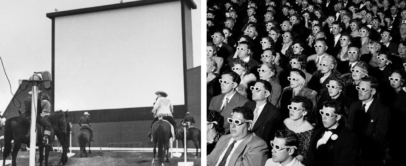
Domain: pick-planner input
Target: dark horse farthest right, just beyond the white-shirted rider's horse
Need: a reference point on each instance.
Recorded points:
(192, 134)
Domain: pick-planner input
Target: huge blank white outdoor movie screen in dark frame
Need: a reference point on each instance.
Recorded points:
(119, 58)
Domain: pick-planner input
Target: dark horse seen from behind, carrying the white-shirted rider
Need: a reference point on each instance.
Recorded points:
(161, 133)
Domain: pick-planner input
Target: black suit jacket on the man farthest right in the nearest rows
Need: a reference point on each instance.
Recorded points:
(372, 126)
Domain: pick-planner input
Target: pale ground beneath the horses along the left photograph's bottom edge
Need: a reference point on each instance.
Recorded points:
(106, 158)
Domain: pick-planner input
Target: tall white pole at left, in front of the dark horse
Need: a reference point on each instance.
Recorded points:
(33, 135)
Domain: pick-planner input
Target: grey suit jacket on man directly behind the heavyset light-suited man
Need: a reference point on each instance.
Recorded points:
(237, 100)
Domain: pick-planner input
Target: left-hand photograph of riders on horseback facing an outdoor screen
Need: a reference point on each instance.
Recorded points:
(100, 82)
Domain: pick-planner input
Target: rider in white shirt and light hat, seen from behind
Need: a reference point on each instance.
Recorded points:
(162, 108)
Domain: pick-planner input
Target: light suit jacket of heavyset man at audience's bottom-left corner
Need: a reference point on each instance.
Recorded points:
(252, 151)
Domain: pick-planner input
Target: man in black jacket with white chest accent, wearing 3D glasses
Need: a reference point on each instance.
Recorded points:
(332, 144)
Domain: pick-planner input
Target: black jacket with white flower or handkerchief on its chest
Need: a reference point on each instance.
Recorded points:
(339, 152)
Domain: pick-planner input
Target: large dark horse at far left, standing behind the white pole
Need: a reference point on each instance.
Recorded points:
(17, 128)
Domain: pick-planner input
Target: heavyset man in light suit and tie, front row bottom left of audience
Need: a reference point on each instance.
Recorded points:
(241, 147)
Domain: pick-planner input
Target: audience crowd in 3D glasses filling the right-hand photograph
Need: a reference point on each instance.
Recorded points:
(306, 82)
